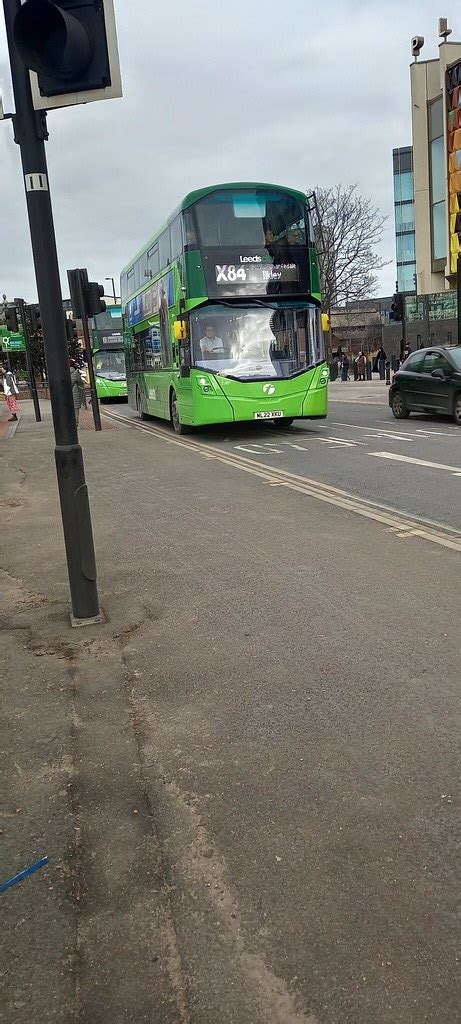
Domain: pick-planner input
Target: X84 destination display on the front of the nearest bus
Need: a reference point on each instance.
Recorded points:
(230, 273)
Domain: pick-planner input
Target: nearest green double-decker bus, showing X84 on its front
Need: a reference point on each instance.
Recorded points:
(223, 312)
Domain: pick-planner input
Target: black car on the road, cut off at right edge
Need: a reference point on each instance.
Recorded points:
(430, 381)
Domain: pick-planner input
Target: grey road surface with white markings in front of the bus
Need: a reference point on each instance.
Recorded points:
(410, 465)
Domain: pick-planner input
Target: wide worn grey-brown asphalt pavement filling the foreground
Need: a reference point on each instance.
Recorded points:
(263, 743)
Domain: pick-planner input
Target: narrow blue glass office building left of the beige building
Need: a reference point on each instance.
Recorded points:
(404, 207)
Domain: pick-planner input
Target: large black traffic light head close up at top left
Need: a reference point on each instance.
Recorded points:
(71, 49)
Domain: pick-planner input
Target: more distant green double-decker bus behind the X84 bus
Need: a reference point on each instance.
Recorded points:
(109, 356)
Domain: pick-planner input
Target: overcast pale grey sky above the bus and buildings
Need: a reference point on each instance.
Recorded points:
(277, 92)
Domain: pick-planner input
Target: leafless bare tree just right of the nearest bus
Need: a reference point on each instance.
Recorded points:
(350, 230)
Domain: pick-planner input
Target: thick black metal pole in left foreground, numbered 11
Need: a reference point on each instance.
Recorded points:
(30, 133)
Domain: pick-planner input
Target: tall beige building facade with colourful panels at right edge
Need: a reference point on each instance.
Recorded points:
(436, 98)
